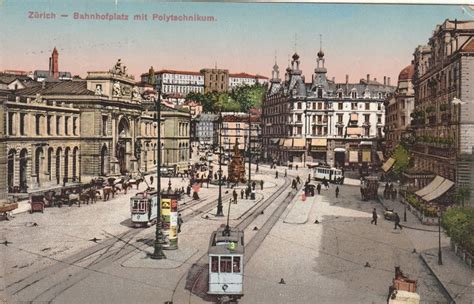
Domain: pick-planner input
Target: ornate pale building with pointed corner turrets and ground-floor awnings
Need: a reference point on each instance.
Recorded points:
(323, 121)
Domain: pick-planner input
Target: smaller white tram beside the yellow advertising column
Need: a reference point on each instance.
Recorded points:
(143, 208)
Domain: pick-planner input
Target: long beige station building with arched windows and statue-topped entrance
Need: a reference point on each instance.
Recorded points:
(72, 131)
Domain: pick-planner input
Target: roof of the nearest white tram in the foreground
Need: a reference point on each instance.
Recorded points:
(220, 240)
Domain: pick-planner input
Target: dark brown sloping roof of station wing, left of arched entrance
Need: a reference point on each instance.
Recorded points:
(58, 88)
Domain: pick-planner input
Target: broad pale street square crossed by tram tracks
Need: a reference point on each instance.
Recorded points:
(91, 255)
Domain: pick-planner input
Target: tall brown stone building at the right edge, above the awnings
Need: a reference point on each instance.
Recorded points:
(444, 103)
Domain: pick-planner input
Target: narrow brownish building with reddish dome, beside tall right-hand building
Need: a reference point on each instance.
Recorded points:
(399, 108)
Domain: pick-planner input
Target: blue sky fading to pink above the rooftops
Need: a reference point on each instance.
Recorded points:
(357, 39)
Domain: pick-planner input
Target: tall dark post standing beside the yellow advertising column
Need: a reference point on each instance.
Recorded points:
(159, 240)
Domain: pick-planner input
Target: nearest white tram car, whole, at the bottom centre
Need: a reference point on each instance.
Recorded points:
(226, 264)
